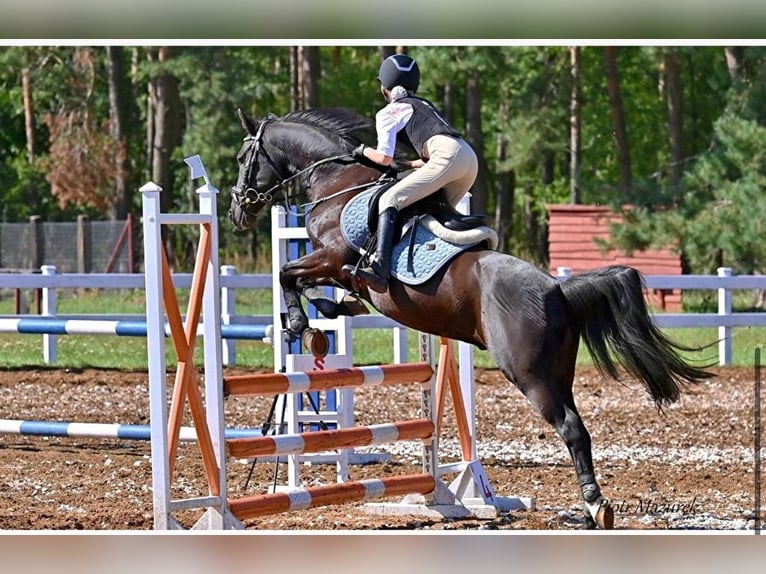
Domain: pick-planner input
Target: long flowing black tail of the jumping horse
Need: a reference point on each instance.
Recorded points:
(609, 309)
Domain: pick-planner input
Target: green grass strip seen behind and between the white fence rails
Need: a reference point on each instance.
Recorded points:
(371, 346)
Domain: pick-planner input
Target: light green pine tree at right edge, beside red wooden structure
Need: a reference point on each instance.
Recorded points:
(719, 219)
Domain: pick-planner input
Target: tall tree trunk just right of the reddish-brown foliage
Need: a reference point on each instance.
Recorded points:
(116, 64)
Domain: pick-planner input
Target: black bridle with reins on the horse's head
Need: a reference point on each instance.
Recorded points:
(250, 199)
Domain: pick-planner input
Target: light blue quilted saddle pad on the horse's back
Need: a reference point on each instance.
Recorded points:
(429, 253)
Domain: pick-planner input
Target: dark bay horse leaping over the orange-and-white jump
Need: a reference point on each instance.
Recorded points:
(530, 322)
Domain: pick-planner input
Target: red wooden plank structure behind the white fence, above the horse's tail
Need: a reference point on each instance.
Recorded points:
(572, 231)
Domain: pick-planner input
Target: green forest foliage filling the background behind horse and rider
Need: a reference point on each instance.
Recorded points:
(525, 101)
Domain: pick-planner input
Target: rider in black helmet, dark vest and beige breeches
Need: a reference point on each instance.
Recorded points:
(445, 161)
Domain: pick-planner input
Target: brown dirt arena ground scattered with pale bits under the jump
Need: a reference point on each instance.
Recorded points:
(690, 467)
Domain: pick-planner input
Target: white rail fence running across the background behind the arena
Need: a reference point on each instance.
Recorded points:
(724, 320)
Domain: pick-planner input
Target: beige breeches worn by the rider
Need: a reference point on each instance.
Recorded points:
(452, 165)
